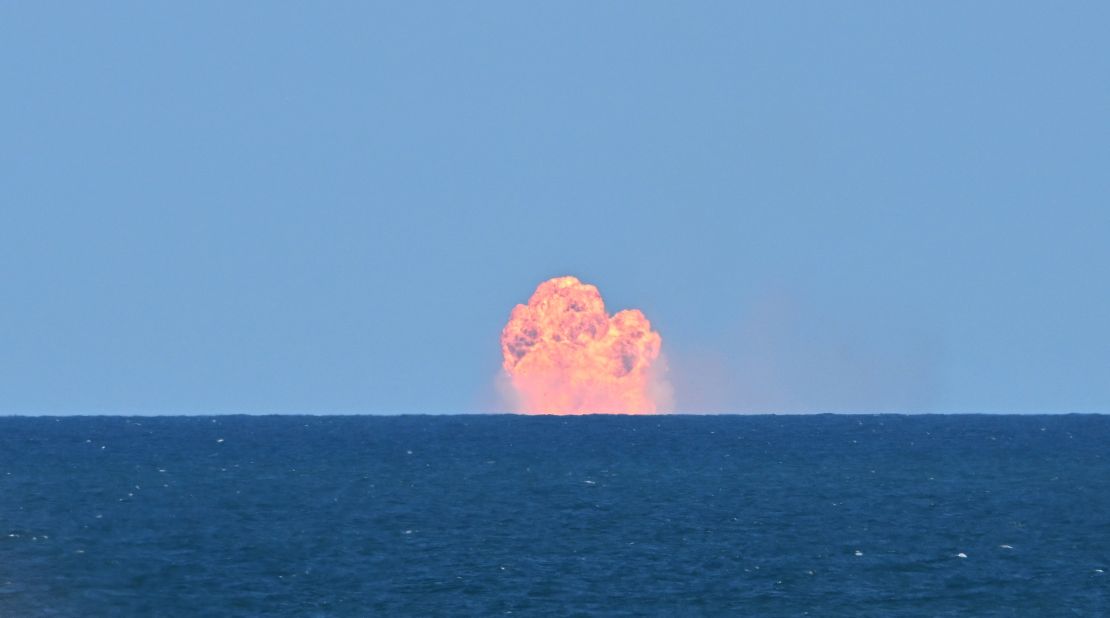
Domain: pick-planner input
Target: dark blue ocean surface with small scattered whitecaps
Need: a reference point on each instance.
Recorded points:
(476, 515)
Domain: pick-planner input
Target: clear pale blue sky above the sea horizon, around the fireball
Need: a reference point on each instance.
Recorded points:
(300, 208)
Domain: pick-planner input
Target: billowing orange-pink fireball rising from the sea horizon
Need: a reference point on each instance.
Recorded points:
(564, 354)
